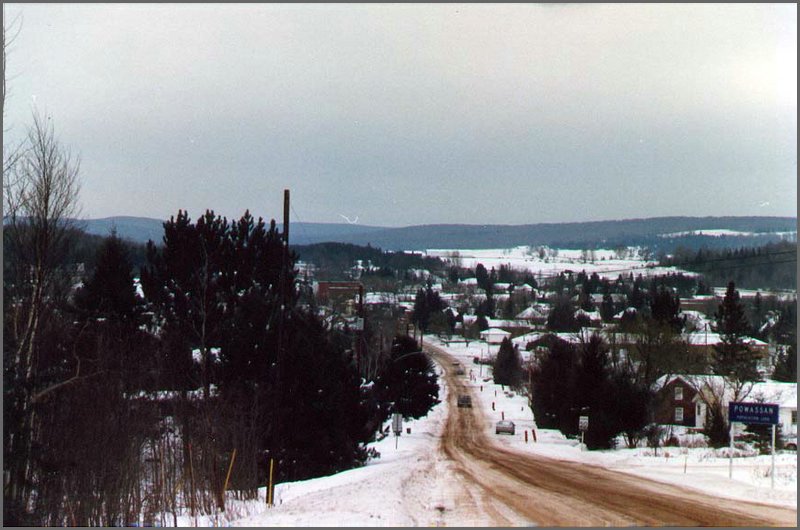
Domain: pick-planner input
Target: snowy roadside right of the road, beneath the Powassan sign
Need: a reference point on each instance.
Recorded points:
(699, 468)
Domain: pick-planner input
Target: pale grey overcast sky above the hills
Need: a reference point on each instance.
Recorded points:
(412, 114)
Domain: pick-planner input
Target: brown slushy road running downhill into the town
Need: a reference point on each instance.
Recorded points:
(513, 488)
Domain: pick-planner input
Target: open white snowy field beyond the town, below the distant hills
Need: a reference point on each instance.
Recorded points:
(551, 262)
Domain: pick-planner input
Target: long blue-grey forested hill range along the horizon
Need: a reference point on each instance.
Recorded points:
(661, 233)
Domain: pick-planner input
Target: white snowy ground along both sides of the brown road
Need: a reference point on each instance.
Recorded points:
(409, 485)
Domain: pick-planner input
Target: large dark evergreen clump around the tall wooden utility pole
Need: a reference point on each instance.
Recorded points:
(285, 383)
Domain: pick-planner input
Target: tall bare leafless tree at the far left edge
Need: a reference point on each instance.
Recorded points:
(40, 200)
